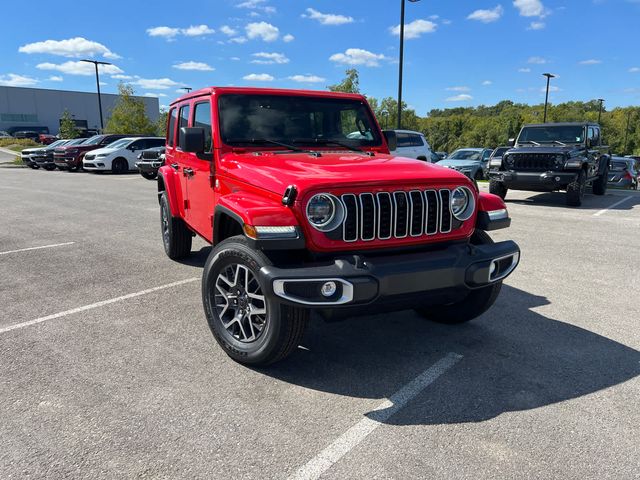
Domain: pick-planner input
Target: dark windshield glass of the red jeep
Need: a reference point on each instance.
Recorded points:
(260, 119)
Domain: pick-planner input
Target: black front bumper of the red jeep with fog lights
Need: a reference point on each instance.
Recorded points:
(402, 281)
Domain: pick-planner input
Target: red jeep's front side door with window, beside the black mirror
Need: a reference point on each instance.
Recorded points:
(199, 174)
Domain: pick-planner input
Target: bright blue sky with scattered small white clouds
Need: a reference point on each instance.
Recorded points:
(458, 53)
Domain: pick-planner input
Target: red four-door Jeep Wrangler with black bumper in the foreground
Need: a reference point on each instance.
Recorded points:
(307, 211)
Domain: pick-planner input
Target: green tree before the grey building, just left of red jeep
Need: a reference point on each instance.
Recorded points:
(128, 115)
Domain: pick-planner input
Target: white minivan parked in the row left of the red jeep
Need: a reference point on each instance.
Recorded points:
(121, 155)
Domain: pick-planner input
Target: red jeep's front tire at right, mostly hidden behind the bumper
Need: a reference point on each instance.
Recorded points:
(474, 304)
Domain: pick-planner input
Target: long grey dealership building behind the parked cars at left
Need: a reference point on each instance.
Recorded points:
(26, 108)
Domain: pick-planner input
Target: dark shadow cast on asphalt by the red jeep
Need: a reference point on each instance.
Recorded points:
(513, 359)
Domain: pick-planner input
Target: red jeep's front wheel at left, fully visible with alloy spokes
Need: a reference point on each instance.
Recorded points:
(279, 330)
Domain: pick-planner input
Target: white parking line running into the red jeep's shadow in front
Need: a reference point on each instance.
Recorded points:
(352, 437)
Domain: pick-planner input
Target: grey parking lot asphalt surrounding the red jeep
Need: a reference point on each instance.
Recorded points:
(108, 369)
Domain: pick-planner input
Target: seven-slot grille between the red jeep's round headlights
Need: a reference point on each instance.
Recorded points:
(398, 214)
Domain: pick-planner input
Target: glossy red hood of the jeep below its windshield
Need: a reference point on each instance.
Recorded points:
(276, 171)
